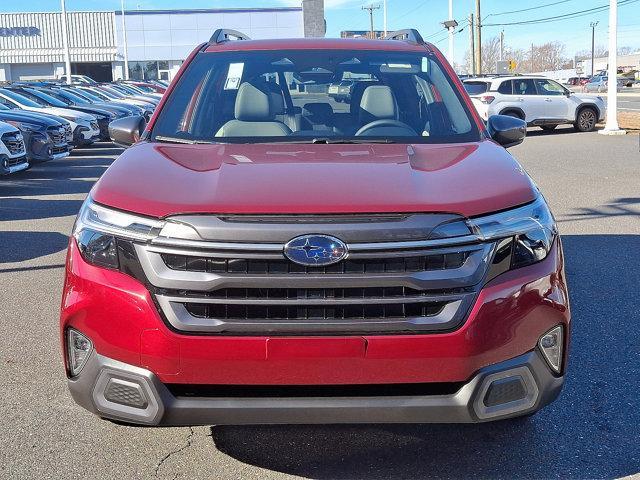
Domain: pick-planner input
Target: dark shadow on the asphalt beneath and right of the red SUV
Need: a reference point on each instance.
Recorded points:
(591, 431)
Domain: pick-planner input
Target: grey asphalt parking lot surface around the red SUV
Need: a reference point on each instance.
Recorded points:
(592, 431)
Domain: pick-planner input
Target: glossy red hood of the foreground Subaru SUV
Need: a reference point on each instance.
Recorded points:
(159, 179)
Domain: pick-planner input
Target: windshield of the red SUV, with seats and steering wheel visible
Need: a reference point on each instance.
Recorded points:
(287, 96)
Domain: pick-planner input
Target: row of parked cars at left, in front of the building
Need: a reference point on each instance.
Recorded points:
(45, 120)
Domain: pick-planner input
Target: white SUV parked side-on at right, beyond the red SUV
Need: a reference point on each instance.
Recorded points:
(539, 101)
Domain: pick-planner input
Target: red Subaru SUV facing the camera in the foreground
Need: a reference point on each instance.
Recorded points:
(266, 254)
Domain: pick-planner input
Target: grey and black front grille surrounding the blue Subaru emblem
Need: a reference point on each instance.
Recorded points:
(391, 282)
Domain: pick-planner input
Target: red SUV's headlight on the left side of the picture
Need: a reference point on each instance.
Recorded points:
(97, 229)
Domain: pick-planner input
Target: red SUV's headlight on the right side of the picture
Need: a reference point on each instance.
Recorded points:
(531, 227)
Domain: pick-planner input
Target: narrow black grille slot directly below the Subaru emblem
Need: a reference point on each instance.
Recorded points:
(415, 263)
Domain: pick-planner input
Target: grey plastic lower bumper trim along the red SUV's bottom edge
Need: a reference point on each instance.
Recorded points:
(156, 405)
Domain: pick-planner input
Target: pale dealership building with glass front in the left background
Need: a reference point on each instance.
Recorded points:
(156, 41)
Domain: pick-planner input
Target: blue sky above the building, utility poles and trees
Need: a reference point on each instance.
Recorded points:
(425, 15)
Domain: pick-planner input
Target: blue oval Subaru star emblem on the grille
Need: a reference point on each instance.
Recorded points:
(315, 250)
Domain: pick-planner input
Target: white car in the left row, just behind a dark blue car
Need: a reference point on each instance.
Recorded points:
(83, 125)
